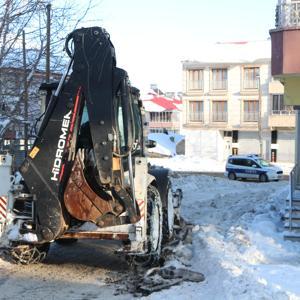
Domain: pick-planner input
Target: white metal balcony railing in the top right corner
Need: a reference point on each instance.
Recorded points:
(288, 15)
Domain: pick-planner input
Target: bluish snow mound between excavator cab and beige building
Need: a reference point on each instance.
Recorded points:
(165, 143)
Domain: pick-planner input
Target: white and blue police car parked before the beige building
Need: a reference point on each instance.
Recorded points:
(251, 167)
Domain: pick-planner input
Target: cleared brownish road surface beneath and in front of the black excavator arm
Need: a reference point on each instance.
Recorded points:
(84, 270)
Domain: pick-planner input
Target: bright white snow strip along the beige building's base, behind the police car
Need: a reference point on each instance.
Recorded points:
(202, 164)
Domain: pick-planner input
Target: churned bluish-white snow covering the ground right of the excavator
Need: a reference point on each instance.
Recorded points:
(238, 243)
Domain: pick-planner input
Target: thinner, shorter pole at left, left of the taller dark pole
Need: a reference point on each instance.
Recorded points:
(25, 94)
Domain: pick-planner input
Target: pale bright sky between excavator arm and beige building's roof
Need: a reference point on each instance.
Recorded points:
(151, 38)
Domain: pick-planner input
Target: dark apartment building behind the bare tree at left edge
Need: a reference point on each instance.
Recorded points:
(12, 125)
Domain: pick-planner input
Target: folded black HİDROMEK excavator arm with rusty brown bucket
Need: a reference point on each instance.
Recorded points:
(93, 113)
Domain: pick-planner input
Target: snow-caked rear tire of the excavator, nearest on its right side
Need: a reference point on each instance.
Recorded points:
(154, 230)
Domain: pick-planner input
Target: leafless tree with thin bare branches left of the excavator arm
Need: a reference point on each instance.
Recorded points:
(30, 16)
